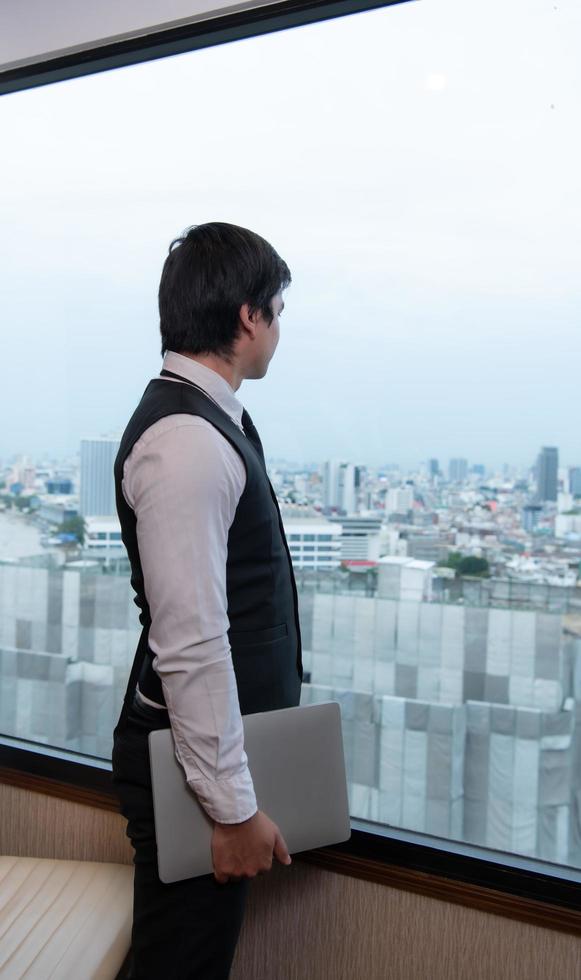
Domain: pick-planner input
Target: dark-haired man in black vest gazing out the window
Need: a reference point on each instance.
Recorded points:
(214, 583)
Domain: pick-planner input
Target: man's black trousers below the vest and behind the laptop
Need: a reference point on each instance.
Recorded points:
(187, 930)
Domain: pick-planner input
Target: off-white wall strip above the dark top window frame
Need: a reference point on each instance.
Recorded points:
(34, 30)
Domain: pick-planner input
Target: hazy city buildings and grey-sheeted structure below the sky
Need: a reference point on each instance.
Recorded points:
(441, 607)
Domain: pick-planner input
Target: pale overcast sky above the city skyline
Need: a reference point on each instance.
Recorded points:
(417, 167)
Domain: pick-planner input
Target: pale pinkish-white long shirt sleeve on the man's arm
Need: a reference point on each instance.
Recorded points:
(183, 480)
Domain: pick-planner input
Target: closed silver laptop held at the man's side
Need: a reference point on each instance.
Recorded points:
(296, 759)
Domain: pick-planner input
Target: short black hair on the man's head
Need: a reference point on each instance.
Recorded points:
(209, 273)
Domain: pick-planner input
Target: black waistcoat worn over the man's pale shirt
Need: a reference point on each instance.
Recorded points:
(264, 629)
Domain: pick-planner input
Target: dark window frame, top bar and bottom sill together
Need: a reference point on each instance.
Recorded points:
(543, 894)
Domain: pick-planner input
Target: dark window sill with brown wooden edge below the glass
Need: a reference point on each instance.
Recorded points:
(545, 895)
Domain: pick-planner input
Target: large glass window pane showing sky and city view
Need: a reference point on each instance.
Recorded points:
(417, 167)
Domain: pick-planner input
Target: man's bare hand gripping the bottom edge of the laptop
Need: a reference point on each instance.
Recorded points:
(243, 850)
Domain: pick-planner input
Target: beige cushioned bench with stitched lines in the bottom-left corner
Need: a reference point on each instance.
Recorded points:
(63, 920)
